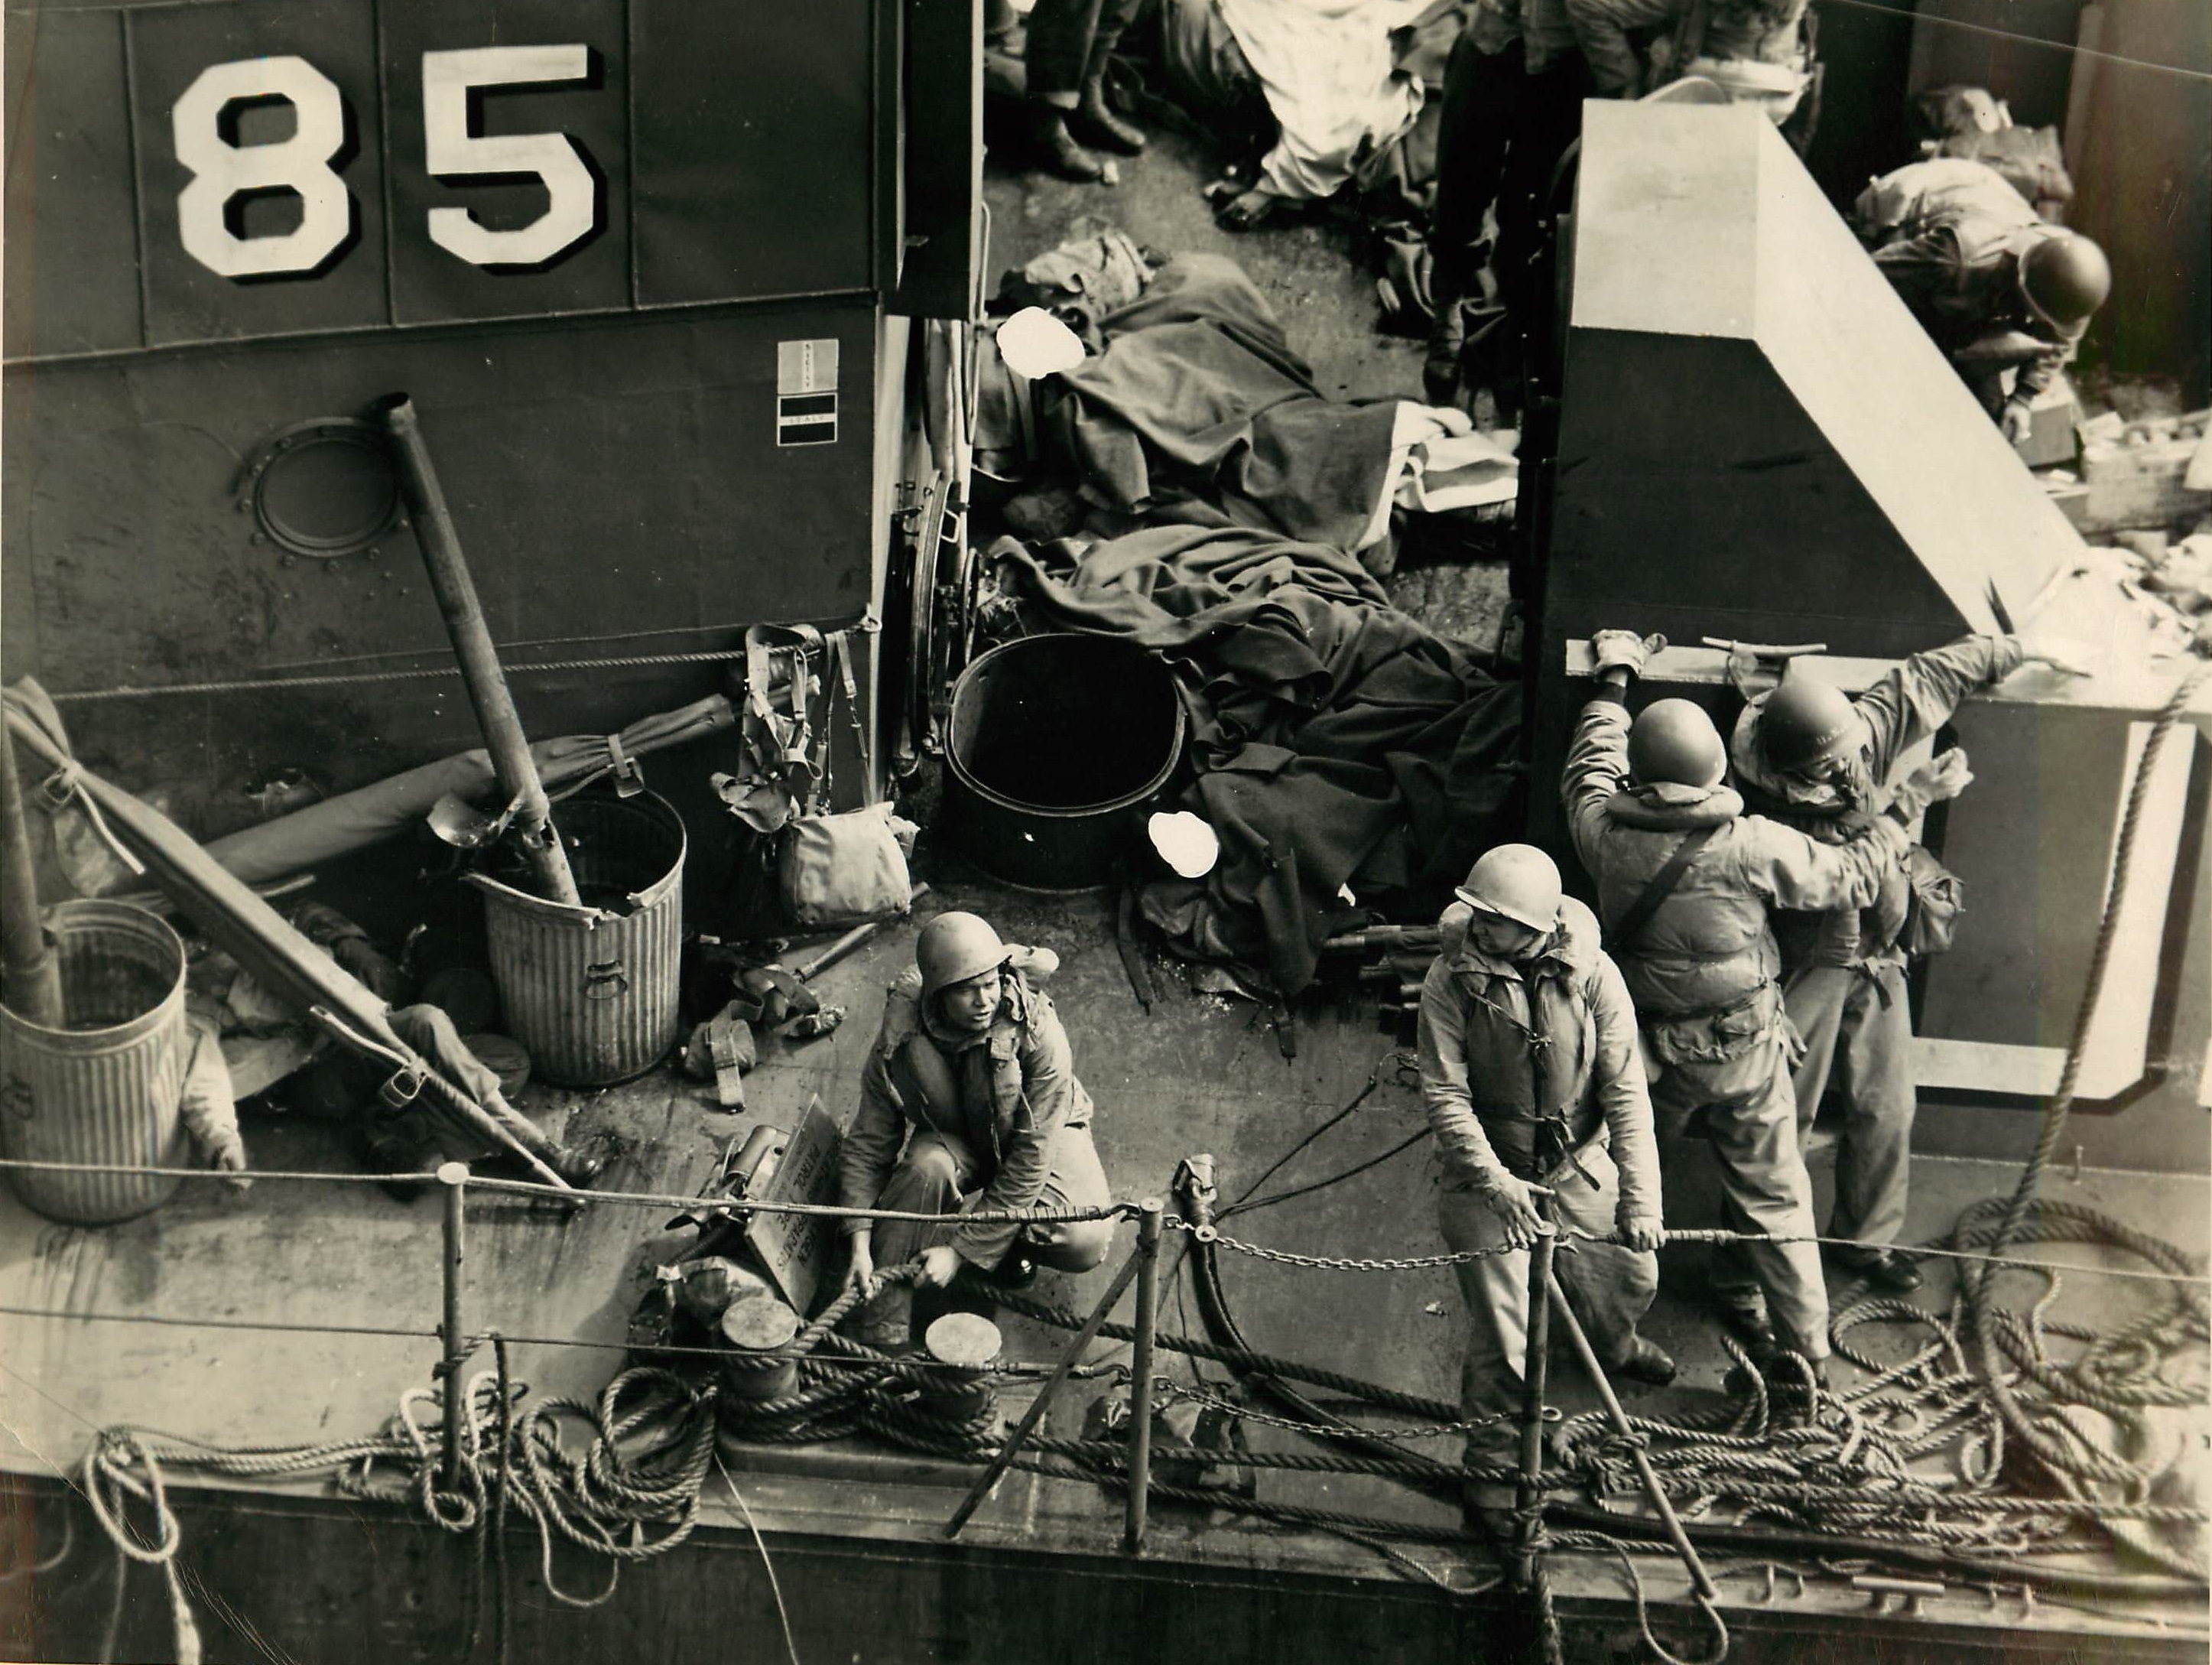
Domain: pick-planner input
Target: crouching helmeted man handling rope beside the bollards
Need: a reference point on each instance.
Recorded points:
(968, 1102)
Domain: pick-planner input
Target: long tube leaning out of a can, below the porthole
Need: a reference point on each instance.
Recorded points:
(479, 660)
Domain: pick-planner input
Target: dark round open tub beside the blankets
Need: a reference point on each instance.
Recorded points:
(1054, 746)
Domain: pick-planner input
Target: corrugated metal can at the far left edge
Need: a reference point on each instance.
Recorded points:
(105, 1089)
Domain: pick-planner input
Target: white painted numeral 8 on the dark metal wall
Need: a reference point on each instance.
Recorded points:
(225, 171)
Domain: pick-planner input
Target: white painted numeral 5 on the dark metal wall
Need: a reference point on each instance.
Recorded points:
(554, 158)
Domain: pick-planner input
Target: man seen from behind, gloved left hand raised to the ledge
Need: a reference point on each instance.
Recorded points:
(1684, 883)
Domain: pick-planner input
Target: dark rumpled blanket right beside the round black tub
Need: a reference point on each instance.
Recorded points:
(1335, 740)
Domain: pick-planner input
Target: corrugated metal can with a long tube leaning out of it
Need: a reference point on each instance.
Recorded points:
(592, 992)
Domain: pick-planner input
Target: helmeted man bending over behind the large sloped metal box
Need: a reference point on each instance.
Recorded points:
(1992, 282)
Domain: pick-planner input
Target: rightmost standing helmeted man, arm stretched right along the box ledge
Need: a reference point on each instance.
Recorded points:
(1817, 760)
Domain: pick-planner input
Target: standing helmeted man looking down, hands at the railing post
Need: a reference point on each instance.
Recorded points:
(1534, 1087)
